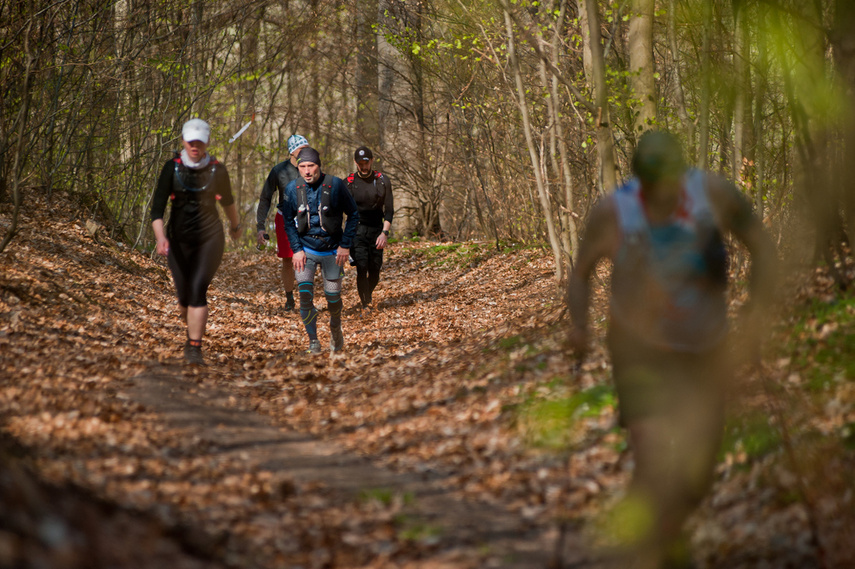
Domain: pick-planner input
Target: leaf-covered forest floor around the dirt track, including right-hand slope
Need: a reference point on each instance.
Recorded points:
(459, 373)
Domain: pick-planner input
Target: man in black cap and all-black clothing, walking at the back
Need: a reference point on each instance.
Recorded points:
(372, 192)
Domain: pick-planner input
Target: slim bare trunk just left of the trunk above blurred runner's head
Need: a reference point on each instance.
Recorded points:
(605, 141)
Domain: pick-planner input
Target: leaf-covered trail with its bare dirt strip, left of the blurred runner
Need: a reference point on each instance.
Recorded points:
(400, 454)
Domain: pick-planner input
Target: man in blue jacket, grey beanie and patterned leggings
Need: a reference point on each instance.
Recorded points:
(314, 208)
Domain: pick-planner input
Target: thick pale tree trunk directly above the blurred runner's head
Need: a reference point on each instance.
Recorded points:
(641, 64)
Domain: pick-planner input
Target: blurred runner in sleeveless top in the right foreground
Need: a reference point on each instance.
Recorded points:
(662, 230)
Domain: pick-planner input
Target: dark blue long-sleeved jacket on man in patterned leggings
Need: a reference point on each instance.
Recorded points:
(317, 238)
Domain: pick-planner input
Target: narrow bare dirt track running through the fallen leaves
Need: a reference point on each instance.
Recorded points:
(498, 537)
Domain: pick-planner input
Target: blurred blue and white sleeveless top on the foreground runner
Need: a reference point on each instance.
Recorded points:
(669, 280)
